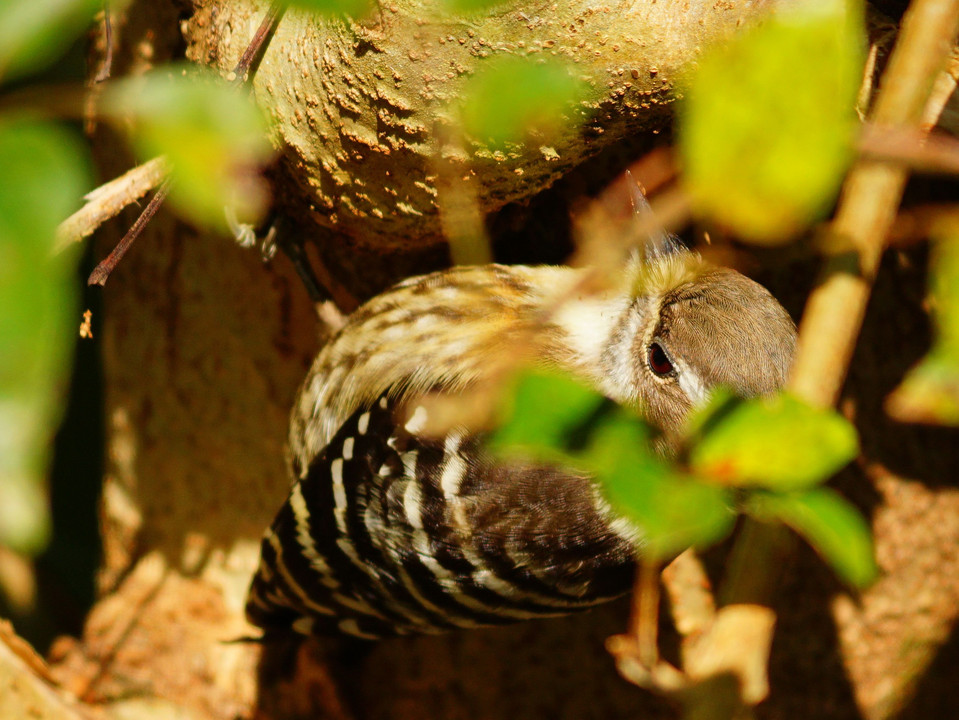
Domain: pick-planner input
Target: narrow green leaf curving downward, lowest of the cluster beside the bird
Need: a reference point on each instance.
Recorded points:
(829, 523)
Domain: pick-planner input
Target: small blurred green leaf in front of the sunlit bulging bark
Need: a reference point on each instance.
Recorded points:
(513, 99)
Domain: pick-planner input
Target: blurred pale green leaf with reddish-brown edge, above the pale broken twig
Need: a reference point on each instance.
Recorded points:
(213, 135)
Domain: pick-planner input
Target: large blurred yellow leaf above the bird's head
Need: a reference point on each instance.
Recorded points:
(766, 131)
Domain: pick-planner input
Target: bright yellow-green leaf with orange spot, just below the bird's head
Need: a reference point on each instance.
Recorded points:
(778, 442)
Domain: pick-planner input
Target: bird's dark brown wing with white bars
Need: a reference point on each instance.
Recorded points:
(389, 533)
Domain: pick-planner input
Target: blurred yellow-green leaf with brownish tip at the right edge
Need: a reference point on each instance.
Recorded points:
(930, 392)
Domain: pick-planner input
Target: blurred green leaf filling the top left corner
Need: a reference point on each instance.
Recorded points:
(34, 33)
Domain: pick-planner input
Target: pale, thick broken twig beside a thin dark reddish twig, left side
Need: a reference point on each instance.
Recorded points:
(109, 199)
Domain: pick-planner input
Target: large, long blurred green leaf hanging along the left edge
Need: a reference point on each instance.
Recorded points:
(43, 175)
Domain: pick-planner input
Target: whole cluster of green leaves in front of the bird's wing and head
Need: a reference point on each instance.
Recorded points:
(762, 456)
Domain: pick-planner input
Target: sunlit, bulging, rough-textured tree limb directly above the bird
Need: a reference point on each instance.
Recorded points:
(365, 111)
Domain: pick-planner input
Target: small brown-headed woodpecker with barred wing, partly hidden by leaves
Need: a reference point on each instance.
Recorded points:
(388, 530)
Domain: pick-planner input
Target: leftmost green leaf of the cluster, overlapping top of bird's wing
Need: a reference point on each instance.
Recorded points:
(545, 411)
